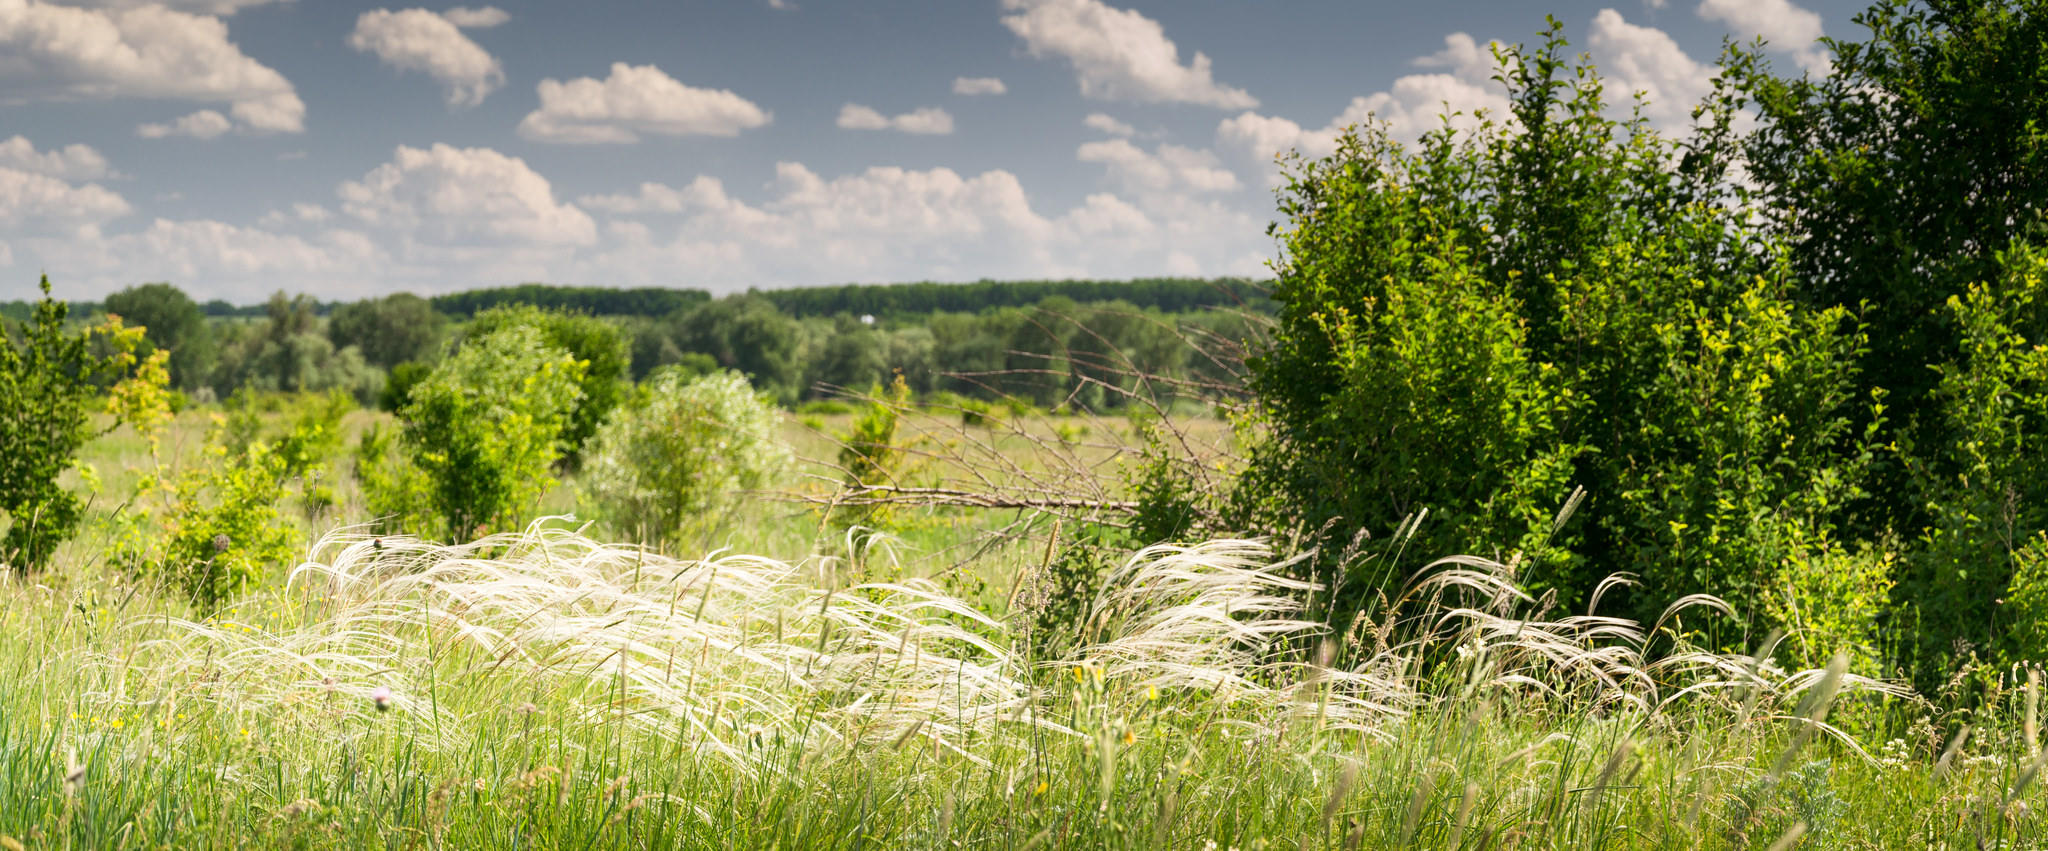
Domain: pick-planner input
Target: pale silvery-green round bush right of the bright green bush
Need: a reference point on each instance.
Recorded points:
(675, 459)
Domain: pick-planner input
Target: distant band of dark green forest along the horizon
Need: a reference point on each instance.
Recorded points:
(1052, 343)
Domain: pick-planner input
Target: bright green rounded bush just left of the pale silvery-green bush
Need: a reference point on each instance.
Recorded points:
(478, 437)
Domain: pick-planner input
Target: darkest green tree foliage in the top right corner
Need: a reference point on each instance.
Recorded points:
(1902, 175)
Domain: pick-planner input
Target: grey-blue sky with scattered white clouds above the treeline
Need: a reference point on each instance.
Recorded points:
(349, 150)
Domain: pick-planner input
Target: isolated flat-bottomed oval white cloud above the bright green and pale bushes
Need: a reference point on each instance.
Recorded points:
(636, 99)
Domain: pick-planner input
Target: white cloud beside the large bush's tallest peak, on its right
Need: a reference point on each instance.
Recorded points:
(1646, 60)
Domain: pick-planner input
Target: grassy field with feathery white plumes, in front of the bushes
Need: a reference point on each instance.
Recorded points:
(554, 690)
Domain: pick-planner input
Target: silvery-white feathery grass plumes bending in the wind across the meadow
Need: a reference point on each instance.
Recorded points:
(728, 654)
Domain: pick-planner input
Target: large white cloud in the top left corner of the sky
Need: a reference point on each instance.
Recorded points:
(144, 52)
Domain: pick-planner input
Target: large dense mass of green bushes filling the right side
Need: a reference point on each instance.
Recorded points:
(1558, 300)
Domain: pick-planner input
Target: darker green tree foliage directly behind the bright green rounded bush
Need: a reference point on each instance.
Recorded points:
(595, 343)
